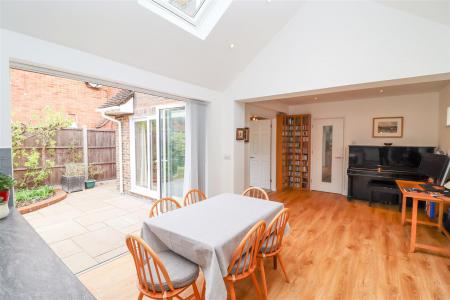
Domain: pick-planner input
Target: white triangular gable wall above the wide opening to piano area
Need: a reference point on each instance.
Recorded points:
(330, 44)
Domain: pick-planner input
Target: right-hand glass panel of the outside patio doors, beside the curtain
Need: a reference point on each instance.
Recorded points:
(172, 145)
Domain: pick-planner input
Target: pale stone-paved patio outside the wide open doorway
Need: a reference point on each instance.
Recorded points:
(89, 227)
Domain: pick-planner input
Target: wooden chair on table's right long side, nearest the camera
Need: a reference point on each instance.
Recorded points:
(244, 260)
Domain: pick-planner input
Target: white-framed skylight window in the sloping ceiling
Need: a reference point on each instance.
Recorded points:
(197, 17)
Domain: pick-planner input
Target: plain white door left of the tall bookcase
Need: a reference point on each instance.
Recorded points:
(260, 151)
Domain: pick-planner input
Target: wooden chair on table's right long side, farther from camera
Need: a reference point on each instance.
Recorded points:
(271, 245)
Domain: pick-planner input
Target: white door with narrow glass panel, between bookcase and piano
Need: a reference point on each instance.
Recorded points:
(328, 155)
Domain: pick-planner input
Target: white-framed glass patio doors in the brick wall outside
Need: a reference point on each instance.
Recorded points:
(158, 153)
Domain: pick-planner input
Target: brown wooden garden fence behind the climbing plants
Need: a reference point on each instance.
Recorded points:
(101, 149)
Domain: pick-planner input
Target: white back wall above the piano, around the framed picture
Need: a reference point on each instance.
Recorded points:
(420, 113)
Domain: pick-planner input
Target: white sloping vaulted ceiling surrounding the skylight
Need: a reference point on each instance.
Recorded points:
(125, 32)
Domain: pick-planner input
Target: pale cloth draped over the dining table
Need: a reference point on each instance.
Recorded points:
(208, 232)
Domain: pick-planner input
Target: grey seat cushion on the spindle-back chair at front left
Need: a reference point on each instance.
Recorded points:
(182, 272)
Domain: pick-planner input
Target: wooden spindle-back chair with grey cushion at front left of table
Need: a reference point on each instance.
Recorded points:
(157, 281)
